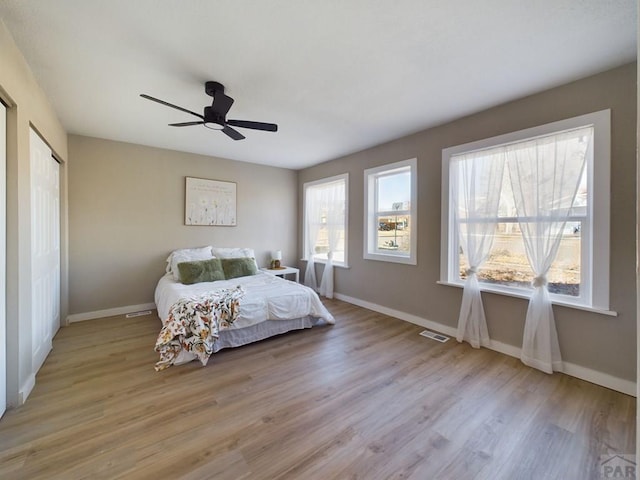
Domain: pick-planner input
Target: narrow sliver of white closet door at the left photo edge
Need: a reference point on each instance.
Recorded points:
(3, 243)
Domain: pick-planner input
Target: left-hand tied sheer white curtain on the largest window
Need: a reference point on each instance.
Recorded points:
(477, 184)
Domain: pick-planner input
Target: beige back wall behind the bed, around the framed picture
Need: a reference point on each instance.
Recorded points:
(126, 213)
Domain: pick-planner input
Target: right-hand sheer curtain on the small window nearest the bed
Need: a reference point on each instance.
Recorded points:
(334, 205)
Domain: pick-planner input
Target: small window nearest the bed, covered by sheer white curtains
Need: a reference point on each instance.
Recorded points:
(325, 219)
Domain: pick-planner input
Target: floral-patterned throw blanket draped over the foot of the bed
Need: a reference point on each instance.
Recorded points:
(193, 325)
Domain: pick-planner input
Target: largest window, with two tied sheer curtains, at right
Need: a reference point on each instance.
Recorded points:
(576, 207)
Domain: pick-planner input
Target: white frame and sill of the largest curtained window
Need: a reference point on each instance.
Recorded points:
(595, 249)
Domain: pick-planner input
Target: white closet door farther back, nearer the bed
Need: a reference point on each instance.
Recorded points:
(45, 248)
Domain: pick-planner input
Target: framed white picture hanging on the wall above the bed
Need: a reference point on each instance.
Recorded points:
(210, 202)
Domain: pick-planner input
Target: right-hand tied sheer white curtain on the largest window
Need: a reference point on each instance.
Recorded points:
(545, 176)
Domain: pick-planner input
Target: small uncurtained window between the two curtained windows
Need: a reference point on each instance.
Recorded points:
(390, 195)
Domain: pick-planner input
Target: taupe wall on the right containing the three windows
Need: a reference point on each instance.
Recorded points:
(602, 343)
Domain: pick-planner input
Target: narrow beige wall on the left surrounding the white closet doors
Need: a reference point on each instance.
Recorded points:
(28, 106)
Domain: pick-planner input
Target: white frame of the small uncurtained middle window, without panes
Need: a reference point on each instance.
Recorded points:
(370, 250)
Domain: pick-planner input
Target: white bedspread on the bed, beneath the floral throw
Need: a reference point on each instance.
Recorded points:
(267, 298)
